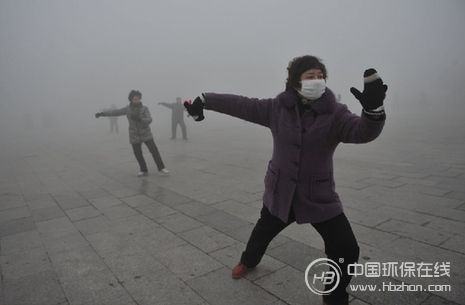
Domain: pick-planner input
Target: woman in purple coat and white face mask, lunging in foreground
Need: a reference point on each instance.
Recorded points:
(307, 124)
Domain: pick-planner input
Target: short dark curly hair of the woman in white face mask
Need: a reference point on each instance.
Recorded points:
(299, 65)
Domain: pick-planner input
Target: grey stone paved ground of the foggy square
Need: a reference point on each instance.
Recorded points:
(77, 226)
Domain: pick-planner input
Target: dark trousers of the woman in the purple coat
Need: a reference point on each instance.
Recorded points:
(337, 235)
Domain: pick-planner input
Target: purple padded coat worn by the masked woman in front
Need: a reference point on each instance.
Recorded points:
(300, 173)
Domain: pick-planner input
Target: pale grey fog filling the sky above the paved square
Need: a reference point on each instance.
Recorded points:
(62, 61)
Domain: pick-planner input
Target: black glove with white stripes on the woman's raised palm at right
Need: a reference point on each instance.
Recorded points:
(374, 91)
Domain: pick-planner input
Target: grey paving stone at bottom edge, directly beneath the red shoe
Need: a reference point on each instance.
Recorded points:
(217, 287)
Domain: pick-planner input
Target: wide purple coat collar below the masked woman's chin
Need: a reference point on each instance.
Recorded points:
(325, 104)
